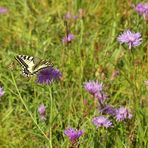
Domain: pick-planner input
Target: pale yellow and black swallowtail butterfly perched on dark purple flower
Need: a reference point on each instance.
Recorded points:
(31, 65)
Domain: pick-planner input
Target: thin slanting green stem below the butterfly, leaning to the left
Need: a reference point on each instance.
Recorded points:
(23, 102)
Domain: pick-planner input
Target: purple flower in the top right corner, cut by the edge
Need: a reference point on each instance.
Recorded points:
(142, 9)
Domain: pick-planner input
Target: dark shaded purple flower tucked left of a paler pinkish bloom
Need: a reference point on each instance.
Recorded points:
(108, 110)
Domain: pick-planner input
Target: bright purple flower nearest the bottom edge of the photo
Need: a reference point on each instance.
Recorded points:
(73, 134)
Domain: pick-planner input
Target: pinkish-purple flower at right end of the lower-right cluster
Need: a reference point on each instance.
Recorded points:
(122, 113)
